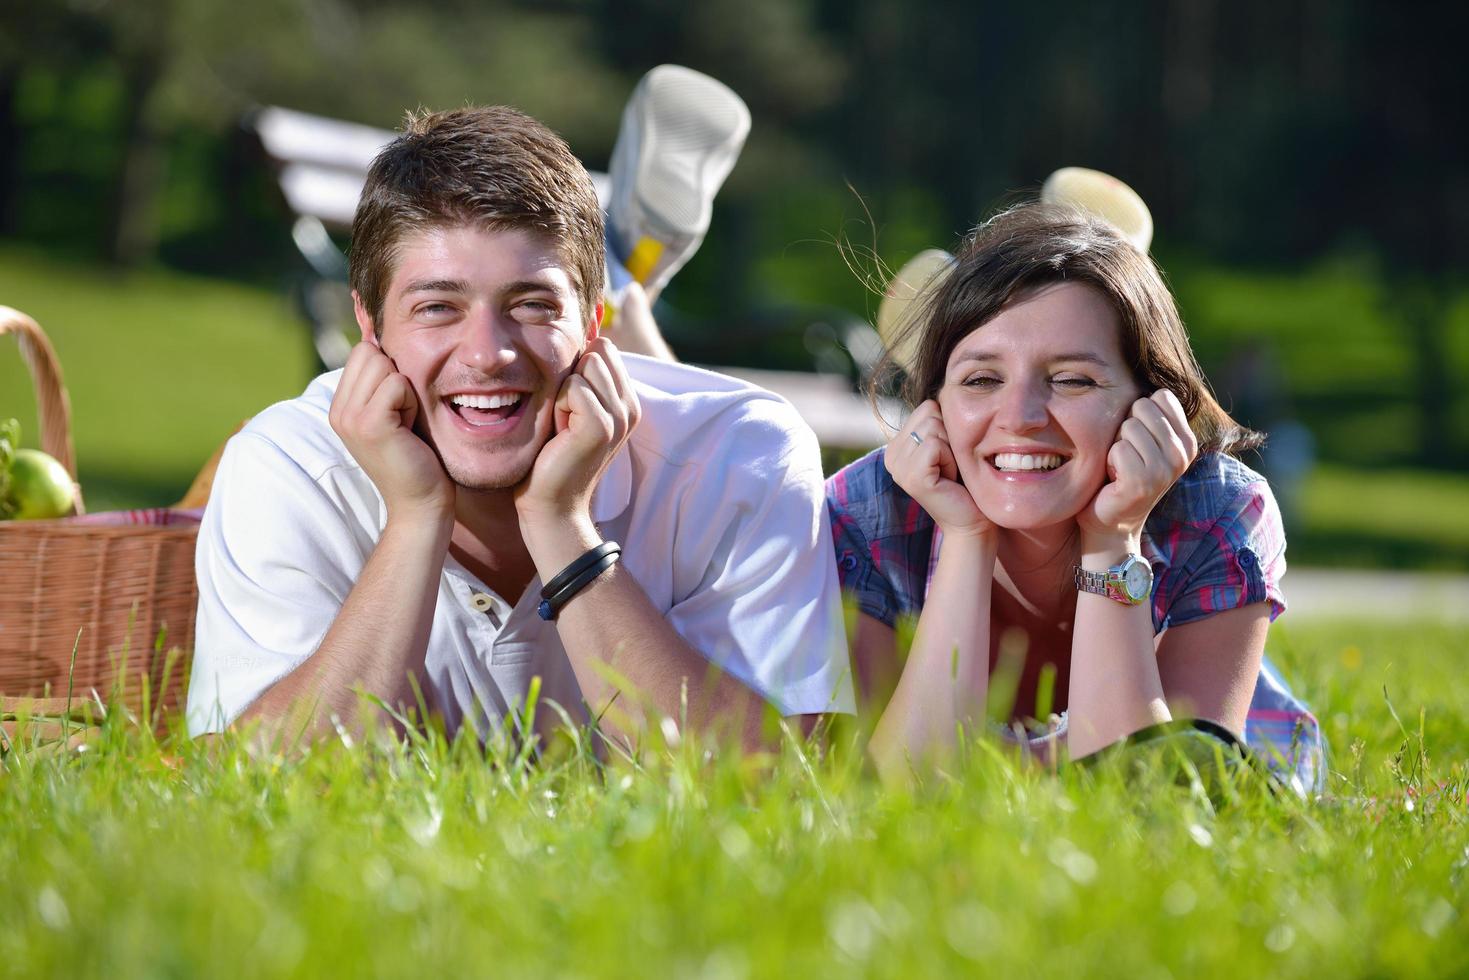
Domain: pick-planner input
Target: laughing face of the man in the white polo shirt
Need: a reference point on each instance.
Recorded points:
(486, 325)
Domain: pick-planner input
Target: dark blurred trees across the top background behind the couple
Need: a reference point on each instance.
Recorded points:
(1263, 134)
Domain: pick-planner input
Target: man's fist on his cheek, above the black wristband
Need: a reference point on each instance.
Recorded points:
(596, 412)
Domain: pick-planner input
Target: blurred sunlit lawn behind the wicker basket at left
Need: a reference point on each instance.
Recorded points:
(161, 368)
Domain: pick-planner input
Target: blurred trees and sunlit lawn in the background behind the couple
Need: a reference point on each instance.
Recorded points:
(1305, 164)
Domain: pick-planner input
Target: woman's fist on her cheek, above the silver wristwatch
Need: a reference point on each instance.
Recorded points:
(1154, 449)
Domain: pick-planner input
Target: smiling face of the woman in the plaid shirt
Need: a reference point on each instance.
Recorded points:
(1032, 403)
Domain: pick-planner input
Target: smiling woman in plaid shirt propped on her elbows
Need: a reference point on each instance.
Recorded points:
(1063, 499)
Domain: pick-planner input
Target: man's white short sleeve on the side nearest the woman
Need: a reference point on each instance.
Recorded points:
(765, 602)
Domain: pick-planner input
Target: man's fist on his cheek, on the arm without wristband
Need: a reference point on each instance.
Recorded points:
(374, 412)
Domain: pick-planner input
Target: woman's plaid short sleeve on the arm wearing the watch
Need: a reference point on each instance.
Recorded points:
(1227, 561)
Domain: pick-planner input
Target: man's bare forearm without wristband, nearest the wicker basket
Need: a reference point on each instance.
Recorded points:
(375, 643)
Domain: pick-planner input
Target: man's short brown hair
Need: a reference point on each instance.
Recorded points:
(494, 168)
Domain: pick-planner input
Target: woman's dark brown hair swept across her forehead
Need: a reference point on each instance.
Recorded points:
(1035, 246)
